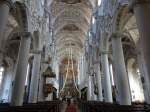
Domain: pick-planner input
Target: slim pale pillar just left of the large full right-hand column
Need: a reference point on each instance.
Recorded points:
(107, 80)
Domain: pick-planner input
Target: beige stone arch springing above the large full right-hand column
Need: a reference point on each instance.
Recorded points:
(121, 19)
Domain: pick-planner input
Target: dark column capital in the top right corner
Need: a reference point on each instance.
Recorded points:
(134, 3)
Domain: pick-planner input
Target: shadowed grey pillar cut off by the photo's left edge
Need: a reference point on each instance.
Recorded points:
(5, 6)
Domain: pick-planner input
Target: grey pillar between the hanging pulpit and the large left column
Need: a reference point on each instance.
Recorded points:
(34, 85)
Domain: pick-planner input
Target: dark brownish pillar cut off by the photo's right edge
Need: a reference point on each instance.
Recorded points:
(141, 10)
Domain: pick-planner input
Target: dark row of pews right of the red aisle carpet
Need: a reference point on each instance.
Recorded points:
(95, 106)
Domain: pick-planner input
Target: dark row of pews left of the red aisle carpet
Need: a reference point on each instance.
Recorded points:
(53, 106)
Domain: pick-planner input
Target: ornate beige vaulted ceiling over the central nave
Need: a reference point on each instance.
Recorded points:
(70, 20)
